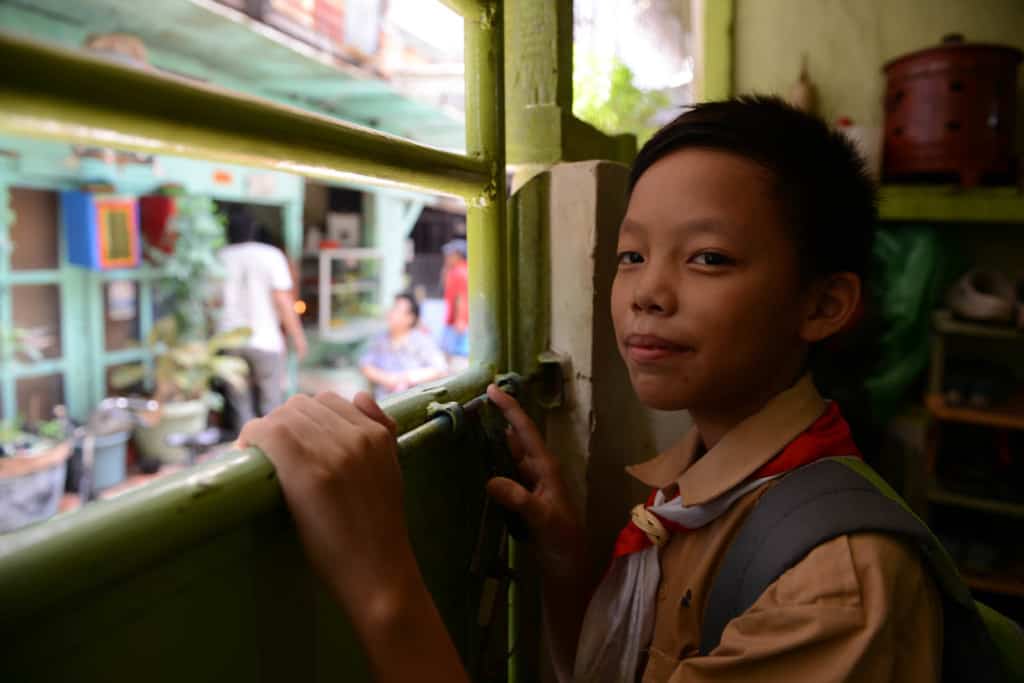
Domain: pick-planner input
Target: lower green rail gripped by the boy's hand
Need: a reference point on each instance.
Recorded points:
(111, 539)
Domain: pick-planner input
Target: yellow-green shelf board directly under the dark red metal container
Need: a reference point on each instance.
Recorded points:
(952, 204)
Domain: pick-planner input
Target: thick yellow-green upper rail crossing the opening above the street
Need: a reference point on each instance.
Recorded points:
(68, 96)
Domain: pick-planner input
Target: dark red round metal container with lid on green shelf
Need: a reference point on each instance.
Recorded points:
(951, 114)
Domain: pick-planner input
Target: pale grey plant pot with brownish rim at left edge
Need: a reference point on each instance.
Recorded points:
(31, 486)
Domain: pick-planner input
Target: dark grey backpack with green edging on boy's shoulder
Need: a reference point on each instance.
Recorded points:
(840, 496)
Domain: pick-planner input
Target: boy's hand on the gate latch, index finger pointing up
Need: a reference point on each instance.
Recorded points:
(544, 502)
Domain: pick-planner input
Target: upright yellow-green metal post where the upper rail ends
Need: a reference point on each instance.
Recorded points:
(486, 215)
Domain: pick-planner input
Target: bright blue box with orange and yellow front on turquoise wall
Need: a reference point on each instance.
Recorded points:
(102, 231)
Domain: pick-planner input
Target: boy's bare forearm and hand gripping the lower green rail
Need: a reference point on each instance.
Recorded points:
(337, 463)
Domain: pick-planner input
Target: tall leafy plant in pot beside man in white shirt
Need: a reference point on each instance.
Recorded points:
(188, 360)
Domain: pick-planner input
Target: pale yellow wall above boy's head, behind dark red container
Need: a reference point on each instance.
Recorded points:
(848, 41)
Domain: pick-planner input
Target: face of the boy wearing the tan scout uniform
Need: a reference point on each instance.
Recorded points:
(708, 301)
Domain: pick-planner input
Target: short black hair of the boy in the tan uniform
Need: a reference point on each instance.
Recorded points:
(821, 182)
